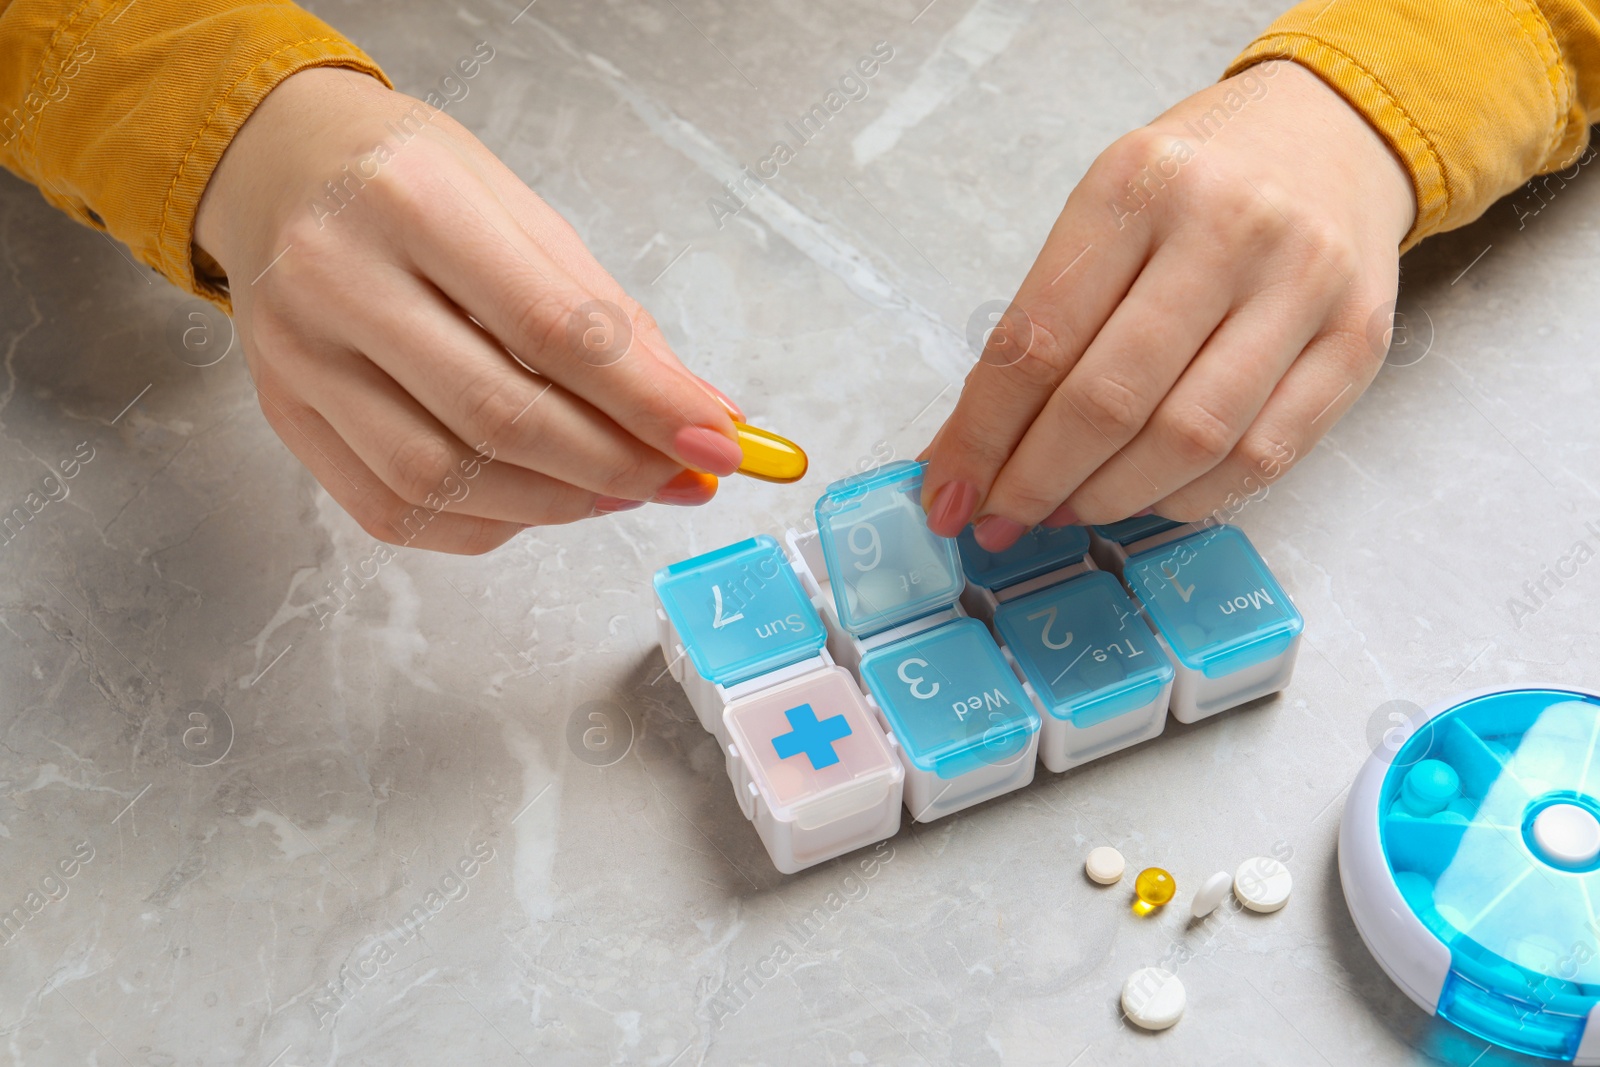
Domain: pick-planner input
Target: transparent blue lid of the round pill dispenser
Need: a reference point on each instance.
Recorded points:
(1506, 874)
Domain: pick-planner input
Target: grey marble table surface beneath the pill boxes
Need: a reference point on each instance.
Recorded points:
(265, 788)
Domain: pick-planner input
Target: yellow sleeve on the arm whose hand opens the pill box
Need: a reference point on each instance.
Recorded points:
(1476, 97)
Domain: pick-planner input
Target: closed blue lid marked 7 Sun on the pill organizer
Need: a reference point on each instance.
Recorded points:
(740, 612)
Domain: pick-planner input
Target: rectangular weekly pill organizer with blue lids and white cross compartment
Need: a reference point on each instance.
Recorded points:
(870, 665)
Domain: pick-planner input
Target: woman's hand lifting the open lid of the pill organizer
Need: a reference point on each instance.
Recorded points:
(1198, 319)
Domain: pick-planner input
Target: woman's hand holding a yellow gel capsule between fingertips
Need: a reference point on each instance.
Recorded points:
(431, 340)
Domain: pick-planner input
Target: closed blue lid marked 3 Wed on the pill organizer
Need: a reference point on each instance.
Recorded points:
(951, 700)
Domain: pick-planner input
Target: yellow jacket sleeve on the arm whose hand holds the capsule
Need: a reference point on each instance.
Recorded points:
(119, 111)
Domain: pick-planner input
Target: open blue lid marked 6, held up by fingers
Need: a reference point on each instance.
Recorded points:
(882, 561)
